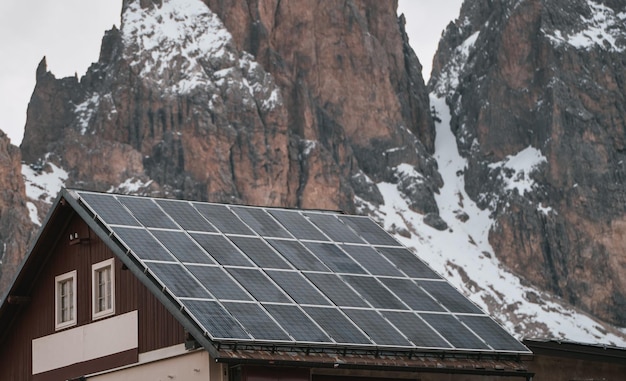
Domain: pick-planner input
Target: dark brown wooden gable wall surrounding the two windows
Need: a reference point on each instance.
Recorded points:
(34, 316)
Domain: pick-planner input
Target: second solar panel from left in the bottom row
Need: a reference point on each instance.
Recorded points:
(257, 322)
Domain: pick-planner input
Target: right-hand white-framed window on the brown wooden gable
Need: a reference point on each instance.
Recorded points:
(103, 289)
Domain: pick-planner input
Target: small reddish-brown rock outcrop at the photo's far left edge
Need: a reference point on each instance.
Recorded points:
(15, 226)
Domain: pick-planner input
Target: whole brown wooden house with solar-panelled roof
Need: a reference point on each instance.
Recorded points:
(120, 287)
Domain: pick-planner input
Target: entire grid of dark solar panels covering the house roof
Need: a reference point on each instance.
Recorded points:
(280, 276)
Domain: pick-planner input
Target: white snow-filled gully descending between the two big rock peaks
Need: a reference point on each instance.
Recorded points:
(463, 255)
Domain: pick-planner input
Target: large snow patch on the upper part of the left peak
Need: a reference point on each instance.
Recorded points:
(181, 45)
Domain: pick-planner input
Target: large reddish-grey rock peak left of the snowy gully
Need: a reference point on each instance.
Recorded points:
(271, 103)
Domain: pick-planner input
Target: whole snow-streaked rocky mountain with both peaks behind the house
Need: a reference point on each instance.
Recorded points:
(325, 107)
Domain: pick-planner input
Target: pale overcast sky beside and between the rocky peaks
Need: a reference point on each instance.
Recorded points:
(69, 32)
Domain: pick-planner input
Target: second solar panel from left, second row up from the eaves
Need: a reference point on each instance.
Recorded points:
(219, 283)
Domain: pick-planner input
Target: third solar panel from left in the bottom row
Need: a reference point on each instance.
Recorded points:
(299, 325)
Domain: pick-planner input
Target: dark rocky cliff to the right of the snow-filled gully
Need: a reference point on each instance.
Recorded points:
(546, 77)
